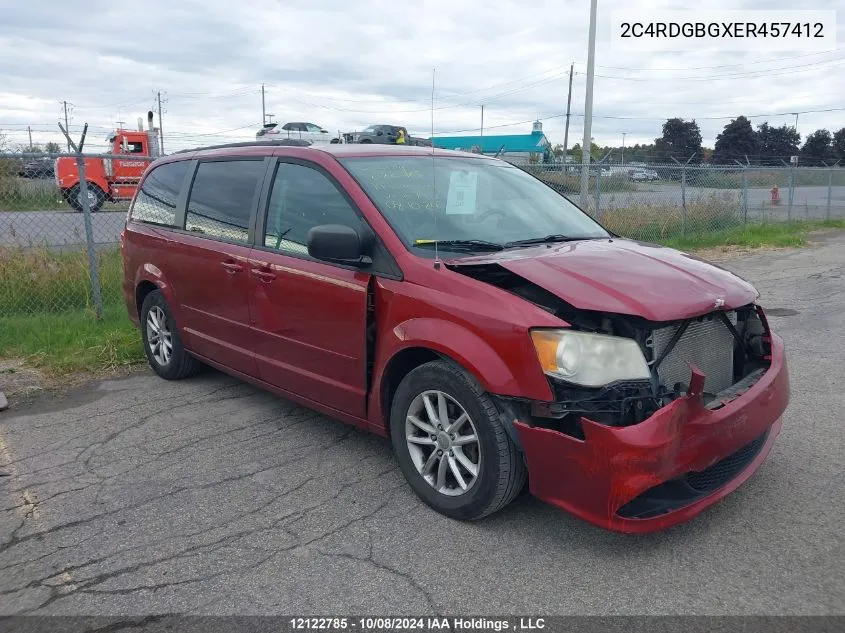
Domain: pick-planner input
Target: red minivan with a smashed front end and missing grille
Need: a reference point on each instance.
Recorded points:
(461, 307)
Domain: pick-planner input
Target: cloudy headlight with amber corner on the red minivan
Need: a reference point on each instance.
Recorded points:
(590, 360)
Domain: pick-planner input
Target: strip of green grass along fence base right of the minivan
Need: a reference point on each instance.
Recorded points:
(778, 235)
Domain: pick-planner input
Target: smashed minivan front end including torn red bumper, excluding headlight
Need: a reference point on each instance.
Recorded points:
(640, 455)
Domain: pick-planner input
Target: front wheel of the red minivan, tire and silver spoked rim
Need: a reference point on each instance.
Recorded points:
(451, 445)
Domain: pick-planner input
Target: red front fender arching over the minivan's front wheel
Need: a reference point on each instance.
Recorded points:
(461, 345)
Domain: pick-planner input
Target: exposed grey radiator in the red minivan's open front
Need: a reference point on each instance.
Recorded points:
(708, 344)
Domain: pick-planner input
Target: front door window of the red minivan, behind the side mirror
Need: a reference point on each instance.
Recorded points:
(301, 199)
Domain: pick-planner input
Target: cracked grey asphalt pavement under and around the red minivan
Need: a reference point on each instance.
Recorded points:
(137, 496)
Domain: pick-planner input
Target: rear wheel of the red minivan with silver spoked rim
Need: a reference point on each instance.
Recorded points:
(162, 343)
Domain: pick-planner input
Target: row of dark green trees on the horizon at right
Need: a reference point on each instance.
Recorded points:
(737, 142)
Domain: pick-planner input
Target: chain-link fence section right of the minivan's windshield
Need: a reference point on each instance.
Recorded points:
(658, 202)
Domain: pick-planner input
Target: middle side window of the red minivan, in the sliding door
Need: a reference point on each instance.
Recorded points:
(221, 199)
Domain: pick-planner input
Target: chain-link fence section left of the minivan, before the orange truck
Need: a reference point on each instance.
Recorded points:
(59, 244)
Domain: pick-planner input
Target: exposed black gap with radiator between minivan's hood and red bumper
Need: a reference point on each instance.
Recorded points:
(730, 350)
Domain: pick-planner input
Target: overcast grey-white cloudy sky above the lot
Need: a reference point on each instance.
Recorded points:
(344, 65)
